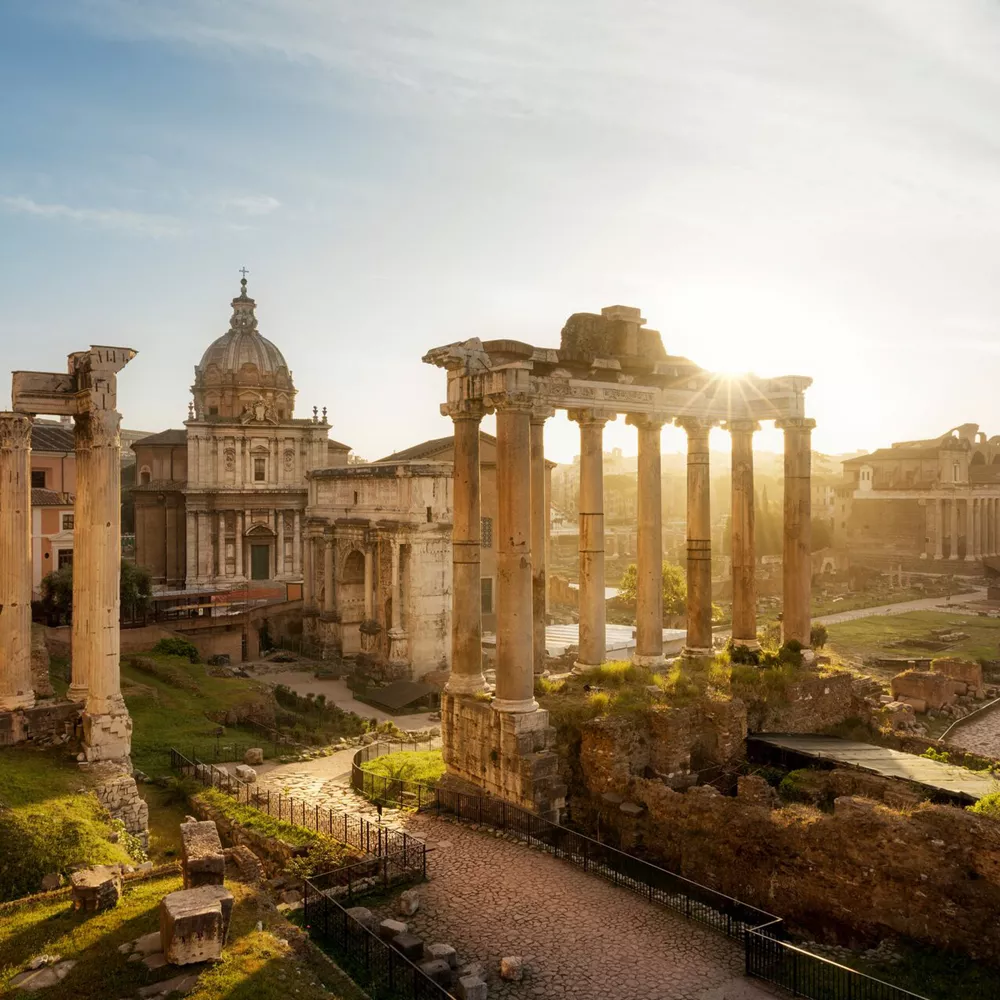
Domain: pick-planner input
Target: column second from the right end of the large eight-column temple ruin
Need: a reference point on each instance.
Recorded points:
(744, 549)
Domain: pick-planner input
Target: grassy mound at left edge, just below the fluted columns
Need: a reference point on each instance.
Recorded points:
(46, 826)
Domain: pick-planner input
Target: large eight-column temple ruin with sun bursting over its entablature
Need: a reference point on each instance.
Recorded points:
(606, 365)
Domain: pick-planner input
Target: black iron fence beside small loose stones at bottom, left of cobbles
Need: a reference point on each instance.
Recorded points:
(377, 967)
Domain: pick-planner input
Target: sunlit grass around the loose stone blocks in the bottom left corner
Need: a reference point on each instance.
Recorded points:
(256, 965)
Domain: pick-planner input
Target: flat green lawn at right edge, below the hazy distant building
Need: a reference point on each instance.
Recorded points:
(867, 638)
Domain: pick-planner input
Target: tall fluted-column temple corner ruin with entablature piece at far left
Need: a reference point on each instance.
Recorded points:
(88, 393)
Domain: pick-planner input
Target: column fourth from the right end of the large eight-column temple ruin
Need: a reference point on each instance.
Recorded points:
(649, 594)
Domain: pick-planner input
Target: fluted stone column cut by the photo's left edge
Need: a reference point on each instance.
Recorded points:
(15, 562)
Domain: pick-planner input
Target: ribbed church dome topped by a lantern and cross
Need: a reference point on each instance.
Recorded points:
(241, 369)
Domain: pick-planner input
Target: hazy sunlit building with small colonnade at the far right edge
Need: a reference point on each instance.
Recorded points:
(924, 504)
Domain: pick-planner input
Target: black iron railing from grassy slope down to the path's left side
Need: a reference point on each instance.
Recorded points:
(371, 838)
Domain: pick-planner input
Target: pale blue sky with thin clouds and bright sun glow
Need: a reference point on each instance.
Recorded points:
(787, 188)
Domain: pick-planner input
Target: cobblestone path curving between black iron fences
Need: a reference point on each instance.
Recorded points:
(581, 938)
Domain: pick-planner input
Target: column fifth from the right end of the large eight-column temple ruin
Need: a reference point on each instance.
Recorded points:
(593, 609)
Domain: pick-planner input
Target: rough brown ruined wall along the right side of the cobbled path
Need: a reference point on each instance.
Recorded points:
(864, 872)
